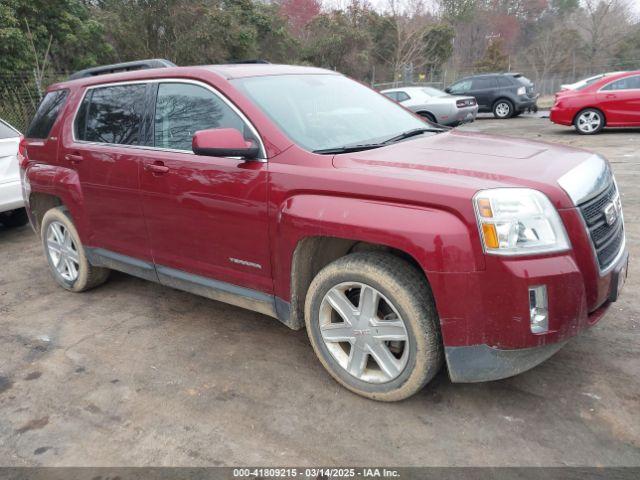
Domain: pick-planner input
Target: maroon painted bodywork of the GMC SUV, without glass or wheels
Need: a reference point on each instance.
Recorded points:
(195, 213)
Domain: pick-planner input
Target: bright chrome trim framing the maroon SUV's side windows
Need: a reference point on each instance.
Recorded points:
(262, 155)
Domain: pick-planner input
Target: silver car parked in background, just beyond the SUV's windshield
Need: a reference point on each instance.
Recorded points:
(435, 105)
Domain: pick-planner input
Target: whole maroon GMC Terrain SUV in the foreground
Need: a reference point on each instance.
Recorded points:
(301, 194)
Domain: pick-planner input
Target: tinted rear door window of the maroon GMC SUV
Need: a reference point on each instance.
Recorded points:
(111, 115)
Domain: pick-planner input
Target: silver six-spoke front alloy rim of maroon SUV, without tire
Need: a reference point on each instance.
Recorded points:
(364, 332)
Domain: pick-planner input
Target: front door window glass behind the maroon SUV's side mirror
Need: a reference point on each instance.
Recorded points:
(183, 109)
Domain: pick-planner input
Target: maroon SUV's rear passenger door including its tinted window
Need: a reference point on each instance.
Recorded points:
(105, 151)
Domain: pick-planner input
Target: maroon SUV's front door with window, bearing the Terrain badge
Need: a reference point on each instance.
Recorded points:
(206, 216)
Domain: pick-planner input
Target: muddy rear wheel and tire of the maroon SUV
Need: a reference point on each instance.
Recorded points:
(65, 253)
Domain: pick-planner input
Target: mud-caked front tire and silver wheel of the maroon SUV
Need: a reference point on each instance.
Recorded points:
(372, 322)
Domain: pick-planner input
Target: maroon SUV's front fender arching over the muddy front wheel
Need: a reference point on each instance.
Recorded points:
(315, 230)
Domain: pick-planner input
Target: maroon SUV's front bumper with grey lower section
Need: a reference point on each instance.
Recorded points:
(487, 332)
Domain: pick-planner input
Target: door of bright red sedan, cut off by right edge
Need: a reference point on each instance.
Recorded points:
(620, 101)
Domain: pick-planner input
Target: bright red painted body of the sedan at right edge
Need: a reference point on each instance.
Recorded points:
(621, 108)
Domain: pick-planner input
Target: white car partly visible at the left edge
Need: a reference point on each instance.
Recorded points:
(12, 212)
